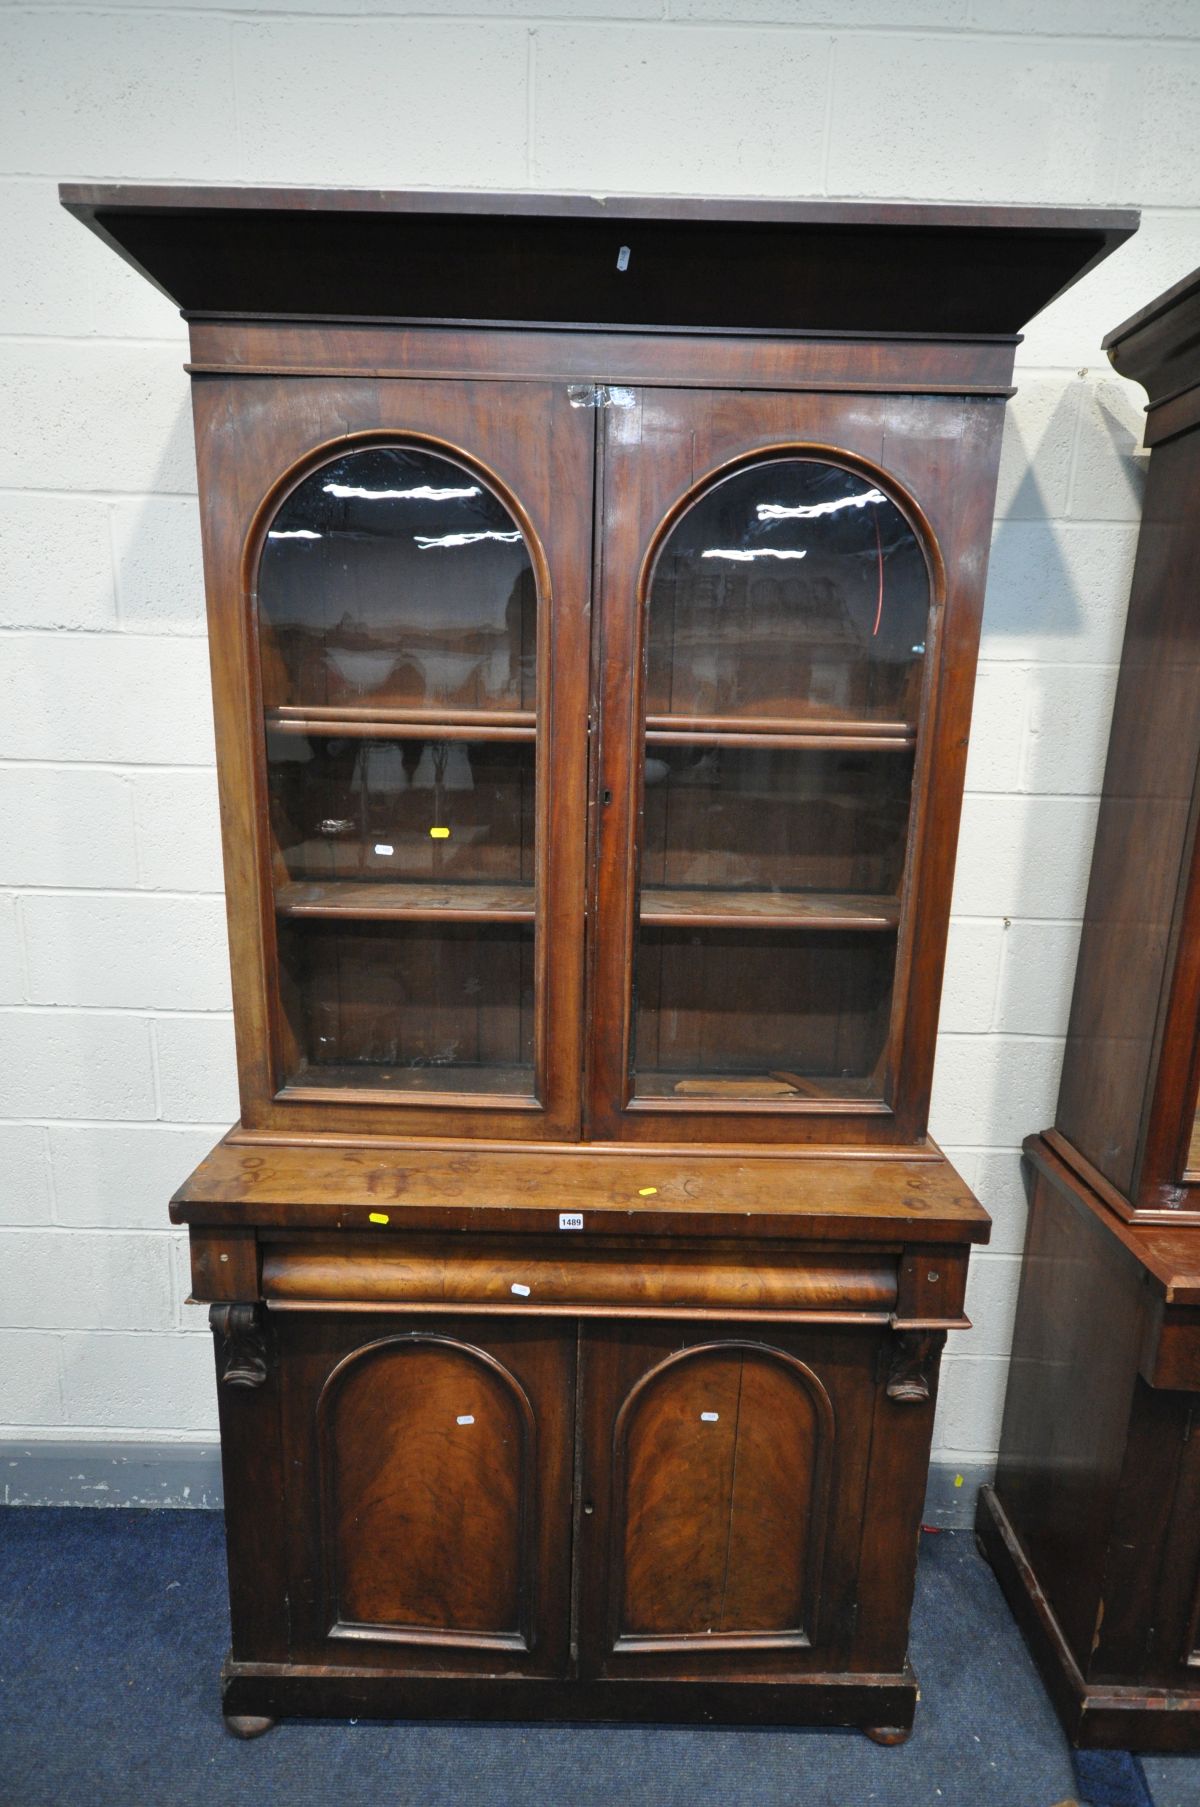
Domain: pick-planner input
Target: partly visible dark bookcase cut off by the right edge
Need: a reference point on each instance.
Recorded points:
(1094, 1521)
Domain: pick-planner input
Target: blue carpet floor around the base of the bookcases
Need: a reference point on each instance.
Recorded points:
(113, 1627)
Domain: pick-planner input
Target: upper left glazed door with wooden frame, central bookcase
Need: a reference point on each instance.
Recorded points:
(417, 565)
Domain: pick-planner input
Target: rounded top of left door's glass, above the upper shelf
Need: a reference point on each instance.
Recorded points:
(395, 577)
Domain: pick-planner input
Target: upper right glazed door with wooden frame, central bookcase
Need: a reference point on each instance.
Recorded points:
(769, 642)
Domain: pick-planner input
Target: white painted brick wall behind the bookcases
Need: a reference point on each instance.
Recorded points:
(117, 1047)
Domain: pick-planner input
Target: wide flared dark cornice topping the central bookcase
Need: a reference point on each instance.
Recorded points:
(621, 261)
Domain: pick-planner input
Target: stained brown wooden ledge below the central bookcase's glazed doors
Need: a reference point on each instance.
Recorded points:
(783, 1194)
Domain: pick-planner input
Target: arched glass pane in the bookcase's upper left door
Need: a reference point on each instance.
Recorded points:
(398, 651)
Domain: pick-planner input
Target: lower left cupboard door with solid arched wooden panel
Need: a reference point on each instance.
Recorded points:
(431, 1524)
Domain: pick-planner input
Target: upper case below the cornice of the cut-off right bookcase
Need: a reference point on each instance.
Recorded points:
(1129, 1074)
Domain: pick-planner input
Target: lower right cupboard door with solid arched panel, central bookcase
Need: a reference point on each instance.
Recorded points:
(722, 1497)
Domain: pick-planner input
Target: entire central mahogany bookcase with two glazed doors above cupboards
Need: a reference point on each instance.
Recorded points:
(595, 592)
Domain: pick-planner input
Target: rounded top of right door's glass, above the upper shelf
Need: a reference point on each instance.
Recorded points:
(791, 590)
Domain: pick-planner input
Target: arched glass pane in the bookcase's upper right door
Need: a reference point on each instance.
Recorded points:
(785, 646)
